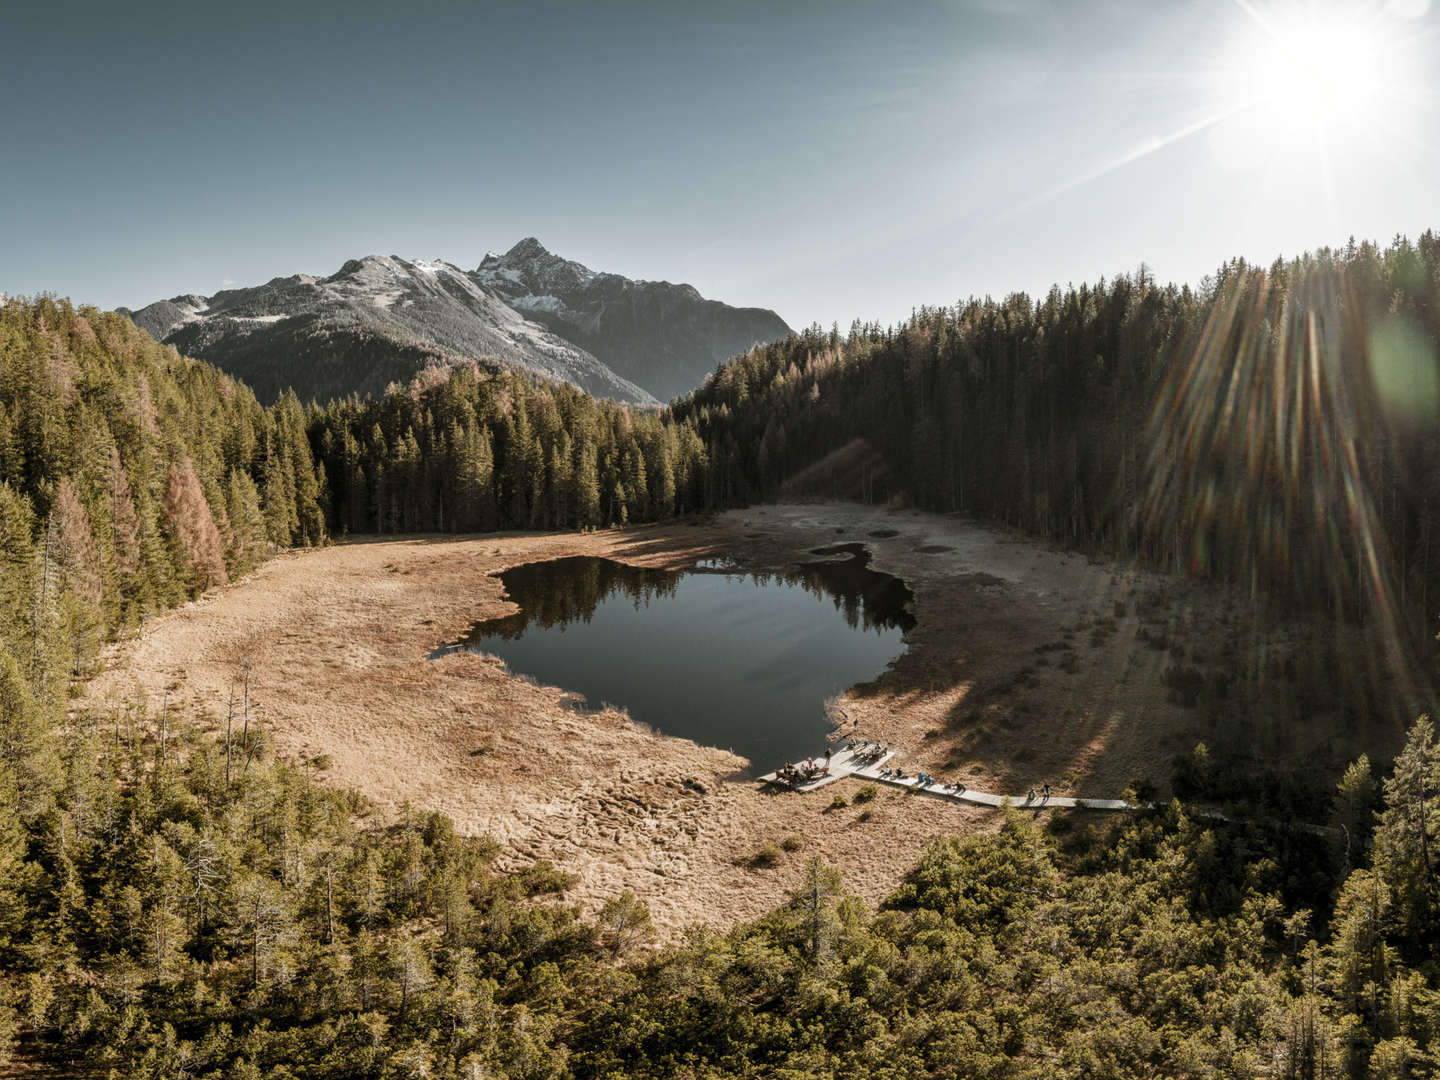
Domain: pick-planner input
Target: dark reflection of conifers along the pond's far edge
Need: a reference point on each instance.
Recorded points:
(562, 591)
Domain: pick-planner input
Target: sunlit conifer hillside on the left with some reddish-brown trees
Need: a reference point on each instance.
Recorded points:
(130, 479)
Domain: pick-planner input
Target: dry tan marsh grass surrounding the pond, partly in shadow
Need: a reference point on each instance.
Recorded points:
(1027, 666)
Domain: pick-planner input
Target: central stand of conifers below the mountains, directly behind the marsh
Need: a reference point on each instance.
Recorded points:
(467, 451)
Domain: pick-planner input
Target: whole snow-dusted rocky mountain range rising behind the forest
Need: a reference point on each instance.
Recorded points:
(382, 319)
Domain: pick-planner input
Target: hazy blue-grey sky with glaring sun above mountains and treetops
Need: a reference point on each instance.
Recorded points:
(830, 161)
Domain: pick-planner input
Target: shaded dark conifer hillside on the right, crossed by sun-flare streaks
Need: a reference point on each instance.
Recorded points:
(1278, 428)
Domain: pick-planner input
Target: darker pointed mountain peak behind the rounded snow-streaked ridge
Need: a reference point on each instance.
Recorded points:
(663, 336)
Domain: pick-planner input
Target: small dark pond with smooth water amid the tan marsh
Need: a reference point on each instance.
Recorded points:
(728, 659)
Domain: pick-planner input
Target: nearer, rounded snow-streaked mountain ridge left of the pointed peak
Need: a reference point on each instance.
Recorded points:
(375, 322)
